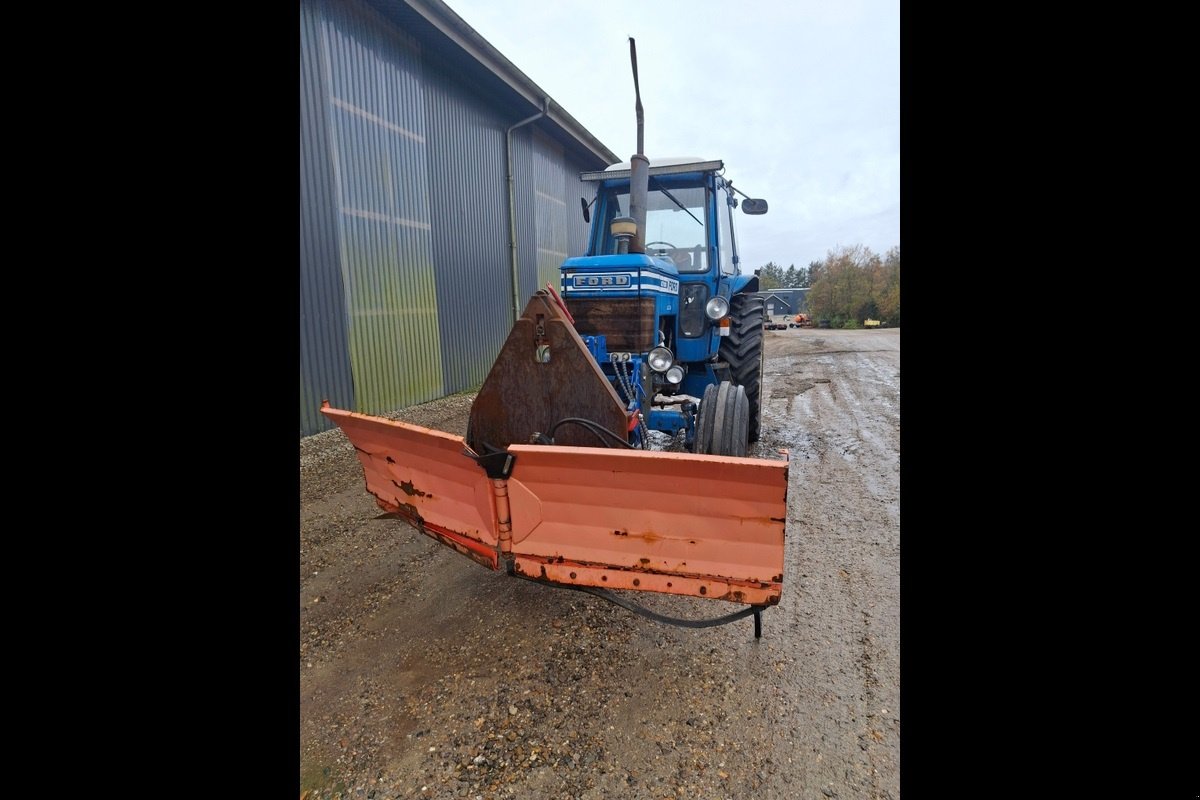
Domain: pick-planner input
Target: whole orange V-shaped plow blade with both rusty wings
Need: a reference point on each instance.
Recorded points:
(676, 524)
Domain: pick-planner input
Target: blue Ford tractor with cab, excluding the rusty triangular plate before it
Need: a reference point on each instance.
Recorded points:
(676, 327)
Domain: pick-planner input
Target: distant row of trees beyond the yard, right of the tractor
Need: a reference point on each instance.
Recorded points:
(850, 286)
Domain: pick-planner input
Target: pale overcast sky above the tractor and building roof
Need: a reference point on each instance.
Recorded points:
(800, 99)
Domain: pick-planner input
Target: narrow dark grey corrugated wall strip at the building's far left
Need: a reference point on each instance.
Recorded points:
(325, 352)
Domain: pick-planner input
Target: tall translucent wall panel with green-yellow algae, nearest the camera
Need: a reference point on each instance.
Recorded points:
(380, 161)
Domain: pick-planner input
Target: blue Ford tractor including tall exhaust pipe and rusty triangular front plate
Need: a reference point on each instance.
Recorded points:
(657, 328)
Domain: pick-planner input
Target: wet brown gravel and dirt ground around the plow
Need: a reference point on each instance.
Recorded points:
(427, 676)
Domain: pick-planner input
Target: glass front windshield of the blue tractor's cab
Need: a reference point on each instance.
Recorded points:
(671, 232)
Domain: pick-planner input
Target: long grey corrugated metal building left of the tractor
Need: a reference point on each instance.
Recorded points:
(416, 257)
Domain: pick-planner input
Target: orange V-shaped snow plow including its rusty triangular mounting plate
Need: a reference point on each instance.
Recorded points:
(583, 518)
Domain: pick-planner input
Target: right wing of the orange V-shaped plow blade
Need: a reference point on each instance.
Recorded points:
(676, 524)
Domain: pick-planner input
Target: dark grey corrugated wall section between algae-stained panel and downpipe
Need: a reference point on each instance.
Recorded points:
(471, 233)
